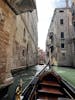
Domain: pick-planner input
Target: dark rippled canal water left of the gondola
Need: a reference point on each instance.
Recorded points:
(26, 75)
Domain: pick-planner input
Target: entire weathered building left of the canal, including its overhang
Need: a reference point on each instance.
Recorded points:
(18, 37)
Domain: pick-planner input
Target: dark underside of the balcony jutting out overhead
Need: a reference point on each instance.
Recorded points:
(21, 6)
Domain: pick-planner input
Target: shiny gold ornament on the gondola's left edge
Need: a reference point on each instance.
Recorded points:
(19, 90)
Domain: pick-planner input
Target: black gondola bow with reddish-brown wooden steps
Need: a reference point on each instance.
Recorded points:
(48, 85)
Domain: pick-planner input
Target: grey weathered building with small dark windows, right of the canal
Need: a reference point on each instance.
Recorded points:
(59, 38)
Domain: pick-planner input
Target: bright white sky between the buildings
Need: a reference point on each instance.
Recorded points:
(45, 9)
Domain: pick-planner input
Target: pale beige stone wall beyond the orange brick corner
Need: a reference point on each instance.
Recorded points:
(25, 41)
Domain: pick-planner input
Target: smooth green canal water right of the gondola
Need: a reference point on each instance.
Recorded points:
(66, 73)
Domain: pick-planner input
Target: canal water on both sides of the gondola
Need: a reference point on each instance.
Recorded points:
(28, 74)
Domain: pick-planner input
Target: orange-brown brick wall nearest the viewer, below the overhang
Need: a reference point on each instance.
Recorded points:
(7, 28)
